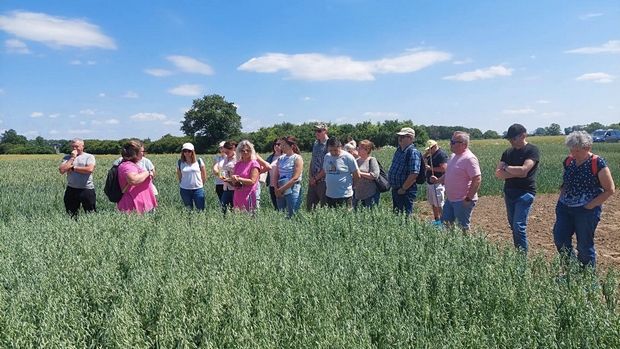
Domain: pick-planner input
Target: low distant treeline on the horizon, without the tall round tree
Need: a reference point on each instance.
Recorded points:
(381, 134)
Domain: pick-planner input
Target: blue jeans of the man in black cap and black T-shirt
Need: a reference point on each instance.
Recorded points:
(518, 205)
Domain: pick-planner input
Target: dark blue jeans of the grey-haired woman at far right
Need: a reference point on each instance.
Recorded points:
(579, 221)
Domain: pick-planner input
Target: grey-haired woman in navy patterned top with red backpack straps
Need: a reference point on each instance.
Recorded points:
(586, 186)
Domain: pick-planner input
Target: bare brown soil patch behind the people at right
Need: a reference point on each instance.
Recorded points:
(490, 214)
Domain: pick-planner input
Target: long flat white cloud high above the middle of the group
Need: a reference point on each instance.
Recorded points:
(319, 67)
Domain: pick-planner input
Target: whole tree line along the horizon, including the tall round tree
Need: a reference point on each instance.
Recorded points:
(212, 119)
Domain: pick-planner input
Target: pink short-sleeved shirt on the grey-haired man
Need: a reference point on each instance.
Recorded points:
(459, 173)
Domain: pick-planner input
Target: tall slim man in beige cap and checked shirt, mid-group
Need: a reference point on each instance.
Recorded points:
(316, 175)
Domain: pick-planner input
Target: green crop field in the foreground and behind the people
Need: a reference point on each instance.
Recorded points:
(331, 278)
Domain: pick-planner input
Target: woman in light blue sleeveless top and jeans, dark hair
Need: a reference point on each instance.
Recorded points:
(288, 175)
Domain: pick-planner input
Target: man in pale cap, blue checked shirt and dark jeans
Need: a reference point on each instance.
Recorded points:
(403, 172)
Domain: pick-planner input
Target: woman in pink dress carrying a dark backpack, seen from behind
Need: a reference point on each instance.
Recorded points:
(138, 194)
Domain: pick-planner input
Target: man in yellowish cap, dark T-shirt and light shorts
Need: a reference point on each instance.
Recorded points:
(436, 161)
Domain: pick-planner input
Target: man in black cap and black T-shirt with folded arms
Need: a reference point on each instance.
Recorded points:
(517, 167)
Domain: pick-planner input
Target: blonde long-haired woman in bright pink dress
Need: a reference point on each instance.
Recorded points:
(245, 177)
